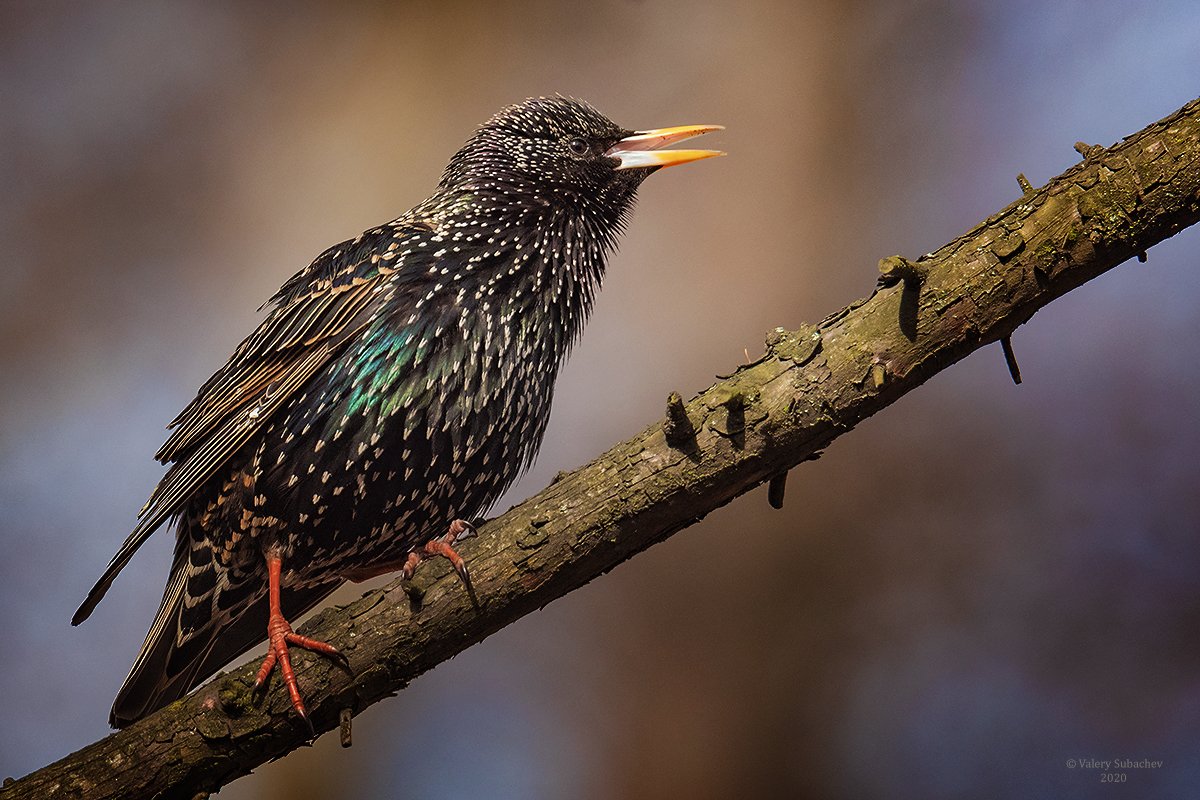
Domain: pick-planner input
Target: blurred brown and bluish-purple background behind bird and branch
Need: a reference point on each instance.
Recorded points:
(971, 590)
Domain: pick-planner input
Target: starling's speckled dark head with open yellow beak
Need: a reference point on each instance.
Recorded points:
(563, 155)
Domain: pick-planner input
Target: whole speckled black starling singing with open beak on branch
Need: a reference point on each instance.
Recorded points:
(399, 386)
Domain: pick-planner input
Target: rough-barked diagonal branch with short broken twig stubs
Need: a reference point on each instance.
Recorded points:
(812, 386)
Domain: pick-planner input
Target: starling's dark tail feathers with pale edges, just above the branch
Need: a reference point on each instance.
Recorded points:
(196, 633)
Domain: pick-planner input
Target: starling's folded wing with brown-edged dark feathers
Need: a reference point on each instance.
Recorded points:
(316, 312)
